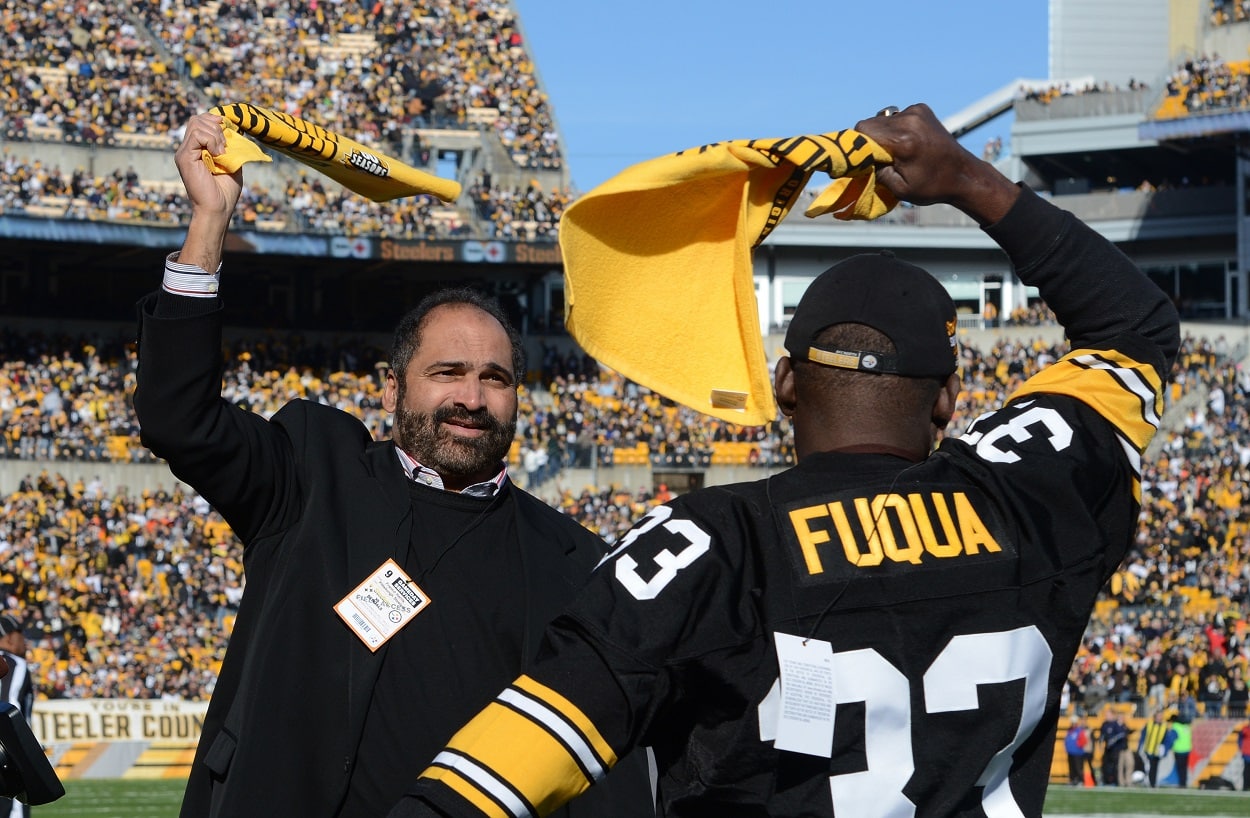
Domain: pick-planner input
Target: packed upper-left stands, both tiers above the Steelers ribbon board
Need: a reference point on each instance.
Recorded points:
(122, 77)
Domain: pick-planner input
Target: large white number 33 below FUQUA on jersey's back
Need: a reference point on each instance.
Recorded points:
(949, 685)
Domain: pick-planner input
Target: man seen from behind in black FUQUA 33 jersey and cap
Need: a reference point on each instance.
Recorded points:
(884, 630)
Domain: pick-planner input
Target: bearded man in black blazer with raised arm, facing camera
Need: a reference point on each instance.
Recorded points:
(339, 530)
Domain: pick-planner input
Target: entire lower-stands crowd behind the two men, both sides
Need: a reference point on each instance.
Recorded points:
(131, 593)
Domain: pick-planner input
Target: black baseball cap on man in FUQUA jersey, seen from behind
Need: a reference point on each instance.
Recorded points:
(898, 300)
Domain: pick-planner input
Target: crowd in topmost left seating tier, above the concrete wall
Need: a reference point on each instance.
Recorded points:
(373, 71)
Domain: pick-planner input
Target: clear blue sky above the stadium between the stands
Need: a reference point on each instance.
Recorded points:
(636, 81)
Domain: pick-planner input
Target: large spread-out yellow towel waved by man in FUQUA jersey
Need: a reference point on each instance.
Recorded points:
(658, 270)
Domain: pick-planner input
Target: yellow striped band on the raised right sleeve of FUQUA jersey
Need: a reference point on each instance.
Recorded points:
(1127, 393)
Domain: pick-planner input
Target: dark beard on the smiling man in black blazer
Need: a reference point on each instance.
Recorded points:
(426, 438)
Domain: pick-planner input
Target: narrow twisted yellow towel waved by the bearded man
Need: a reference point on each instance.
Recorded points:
(352, 164)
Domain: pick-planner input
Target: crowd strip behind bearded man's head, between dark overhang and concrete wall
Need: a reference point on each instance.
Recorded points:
(66, 398)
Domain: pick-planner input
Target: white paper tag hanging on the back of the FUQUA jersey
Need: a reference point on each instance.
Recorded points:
(806, 716)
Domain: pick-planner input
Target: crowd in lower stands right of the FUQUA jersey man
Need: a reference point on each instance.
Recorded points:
(1176, 625)
